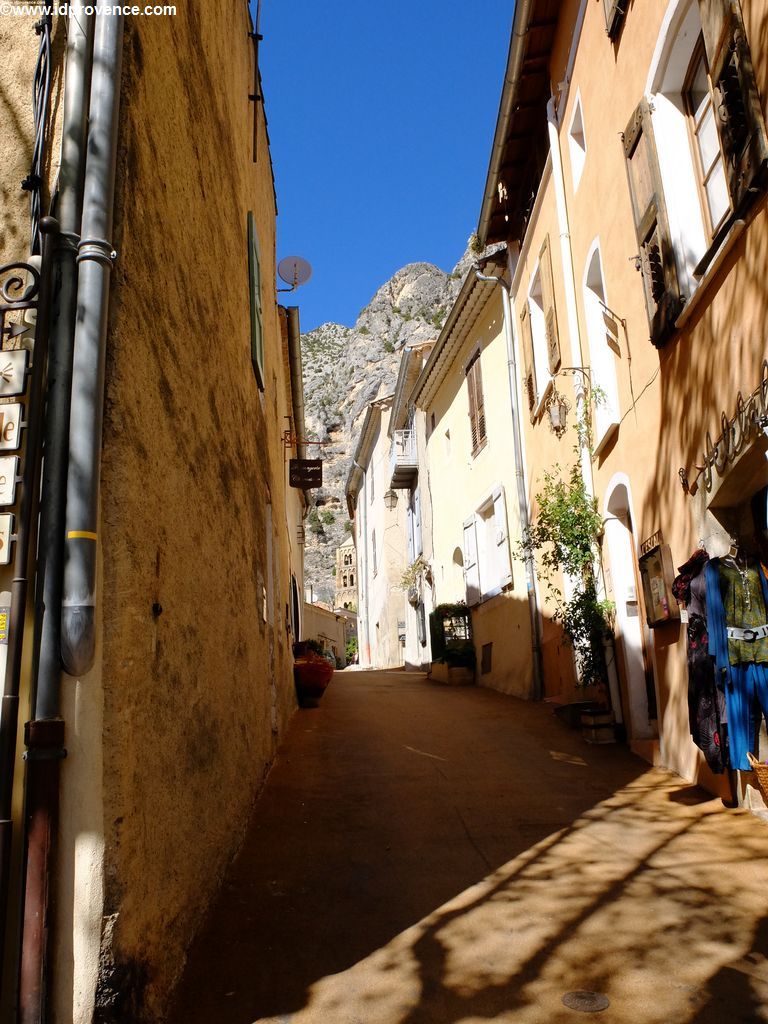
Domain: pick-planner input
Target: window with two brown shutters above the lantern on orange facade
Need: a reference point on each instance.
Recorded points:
(541, 339)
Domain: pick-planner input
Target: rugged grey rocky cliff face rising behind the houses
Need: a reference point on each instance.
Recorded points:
(348, 368)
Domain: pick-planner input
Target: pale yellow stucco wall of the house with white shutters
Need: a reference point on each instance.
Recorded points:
(460, 483)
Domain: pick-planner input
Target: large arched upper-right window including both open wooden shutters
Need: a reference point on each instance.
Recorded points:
(696, 154)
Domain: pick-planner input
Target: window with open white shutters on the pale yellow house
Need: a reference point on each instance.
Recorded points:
(488, 567)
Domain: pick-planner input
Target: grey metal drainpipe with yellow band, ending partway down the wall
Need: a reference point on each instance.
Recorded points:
(95, 259)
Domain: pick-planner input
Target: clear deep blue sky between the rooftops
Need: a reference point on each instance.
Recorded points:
(381, 120)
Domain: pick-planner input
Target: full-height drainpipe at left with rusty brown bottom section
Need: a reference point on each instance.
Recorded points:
(45, 735)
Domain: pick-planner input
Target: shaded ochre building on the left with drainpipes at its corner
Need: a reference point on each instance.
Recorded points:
(184, 567)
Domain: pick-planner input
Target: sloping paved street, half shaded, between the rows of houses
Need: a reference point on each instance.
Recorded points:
(436, 856)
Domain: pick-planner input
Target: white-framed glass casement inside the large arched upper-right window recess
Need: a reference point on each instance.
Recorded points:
(708, 155)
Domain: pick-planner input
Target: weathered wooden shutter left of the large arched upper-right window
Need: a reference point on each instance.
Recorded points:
(657, 255)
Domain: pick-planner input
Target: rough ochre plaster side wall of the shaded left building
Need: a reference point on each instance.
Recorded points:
(176, 730)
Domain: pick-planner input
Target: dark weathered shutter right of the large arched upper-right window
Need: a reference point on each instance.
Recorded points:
(740, 117)
